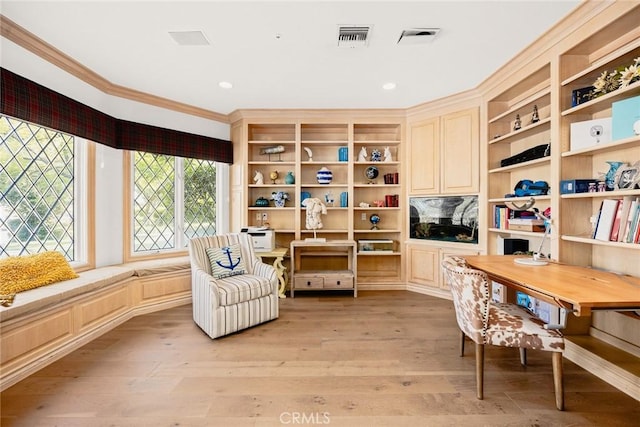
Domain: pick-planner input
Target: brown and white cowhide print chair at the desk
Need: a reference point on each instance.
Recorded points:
(506, 325)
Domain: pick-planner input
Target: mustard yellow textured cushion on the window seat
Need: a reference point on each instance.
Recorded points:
(22, 273)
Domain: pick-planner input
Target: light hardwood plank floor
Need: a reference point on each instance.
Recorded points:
(383, 359)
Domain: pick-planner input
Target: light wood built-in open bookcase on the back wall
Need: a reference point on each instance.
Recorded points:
(360, 188)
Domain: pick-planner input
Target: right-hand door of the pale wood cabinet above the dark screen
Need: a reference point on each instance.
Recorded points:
(460, 152)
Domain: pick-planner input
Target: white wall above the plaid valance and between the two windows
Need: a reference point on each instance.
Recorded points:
(109, 161)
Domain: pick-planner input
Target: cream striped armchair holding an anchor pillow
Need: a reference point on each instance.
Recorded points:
(222, 306)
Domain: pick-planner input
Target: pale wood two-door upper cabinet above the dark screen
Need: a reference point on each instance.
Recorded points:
(444, 154)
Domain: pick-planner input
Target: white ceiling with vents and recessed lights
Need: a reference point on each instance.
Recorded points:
(129, 44)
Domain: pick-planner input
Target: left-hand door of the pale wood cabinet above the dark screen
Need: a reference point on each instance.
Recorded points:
(424, 157)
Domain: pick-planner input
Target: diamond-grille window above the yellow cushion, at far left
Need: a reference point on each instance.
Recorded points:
(37, 186)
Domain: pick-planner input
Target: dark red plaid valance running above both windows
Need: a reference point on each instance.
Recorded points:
(26, 100)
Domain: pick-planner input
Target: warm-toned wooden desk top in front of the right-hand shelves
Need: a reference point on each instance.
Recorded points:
(577, 289)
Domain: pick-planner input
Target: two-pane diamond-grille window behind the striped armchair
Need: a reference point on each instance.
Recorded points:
(174, 200)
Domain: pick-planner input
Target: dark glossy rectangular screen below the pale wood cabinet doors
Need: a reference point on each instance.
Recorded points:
(445, 218)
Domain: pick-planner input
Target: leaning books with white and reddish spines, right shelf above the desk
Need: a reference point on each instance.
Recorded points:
(619, 220)
